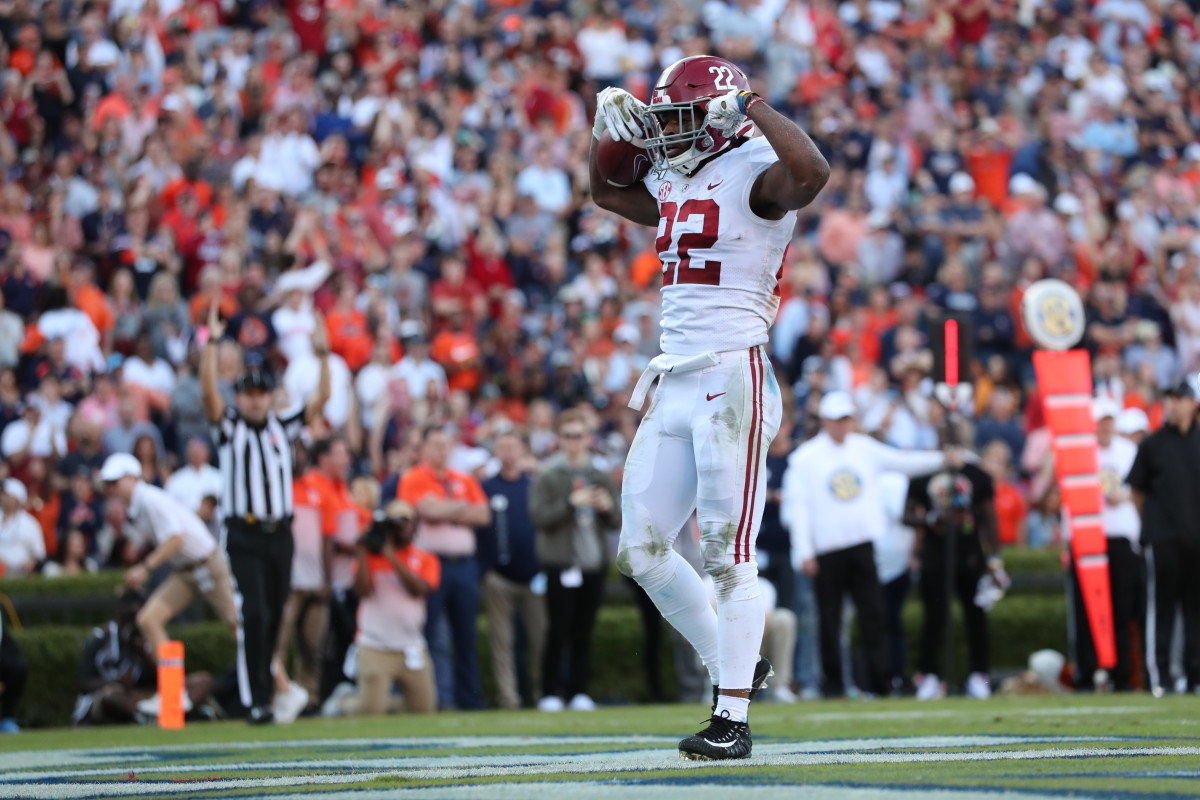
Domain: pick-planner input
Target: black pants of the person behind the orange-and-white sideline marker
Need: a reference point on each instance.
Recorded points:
(1125, 584)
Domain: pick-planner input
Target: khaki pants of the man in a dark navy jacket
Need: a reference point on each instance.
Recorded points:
(501, 598)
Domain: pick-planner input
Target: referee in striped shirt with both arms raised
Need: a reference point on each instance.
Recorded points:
(255, 449)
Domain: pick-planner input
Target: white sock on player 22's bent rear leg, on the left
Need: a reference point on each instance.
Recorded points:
(681, 597)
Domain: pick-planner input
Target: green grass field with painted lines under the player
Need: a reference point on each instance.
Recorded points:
(1117, 747)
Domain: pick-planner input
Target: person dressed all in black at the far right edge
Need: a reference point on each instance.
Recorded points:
(1165, 478)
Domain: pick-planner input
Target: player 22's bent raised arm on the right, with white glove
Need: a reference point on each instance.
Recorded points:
(800, 175)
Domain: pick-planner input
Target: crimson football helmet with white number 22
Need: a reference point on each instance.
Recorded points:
(682, 95)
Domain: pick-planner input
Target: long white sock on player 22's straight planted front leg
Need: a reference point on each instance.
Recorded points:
(740, 625)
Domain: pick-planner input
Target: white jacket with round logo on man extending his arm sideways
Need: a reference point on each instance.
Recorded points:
(832, 498)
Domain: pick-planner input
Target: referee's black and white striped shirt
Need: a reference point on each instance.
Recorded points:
(256, 466)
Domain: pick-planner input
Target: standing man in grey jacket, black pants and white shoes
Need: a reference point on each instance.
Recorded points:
(573, 506)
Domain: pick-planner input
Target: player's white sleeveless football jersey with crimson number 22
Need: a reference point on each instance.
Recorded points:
(721, 262)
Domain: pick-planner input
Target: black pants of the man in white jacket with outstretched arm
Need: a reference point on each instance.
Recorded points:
(851, 570)
